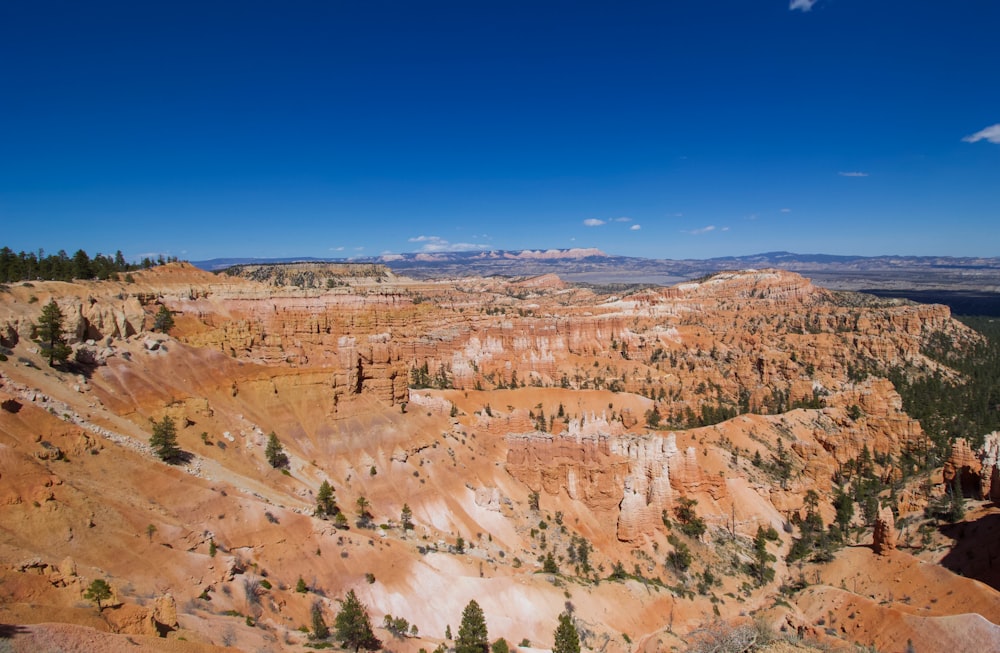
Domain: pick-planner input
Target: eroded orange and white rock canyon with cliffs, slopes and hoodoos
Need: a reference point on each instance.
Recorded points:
(556, 448)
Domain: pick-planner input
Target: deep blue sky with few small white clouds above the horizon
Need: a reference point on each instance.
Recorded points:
(674, 129)
